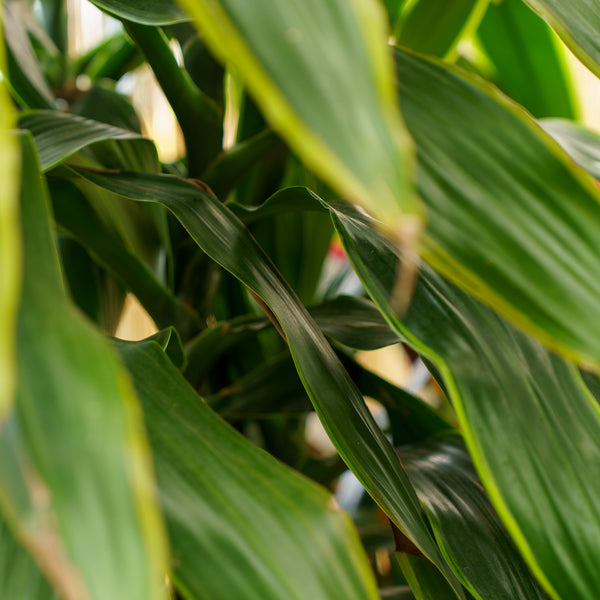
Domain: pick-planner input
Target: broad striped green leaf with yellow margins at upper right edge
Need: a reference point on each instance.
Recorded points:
(511, 220)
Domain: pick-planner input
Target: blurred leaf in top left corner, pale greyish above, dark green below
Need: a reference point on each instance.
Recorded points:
(26, 78)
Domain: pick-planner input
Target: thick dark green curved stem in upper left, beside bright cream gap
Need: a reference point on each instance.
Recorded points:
(200, 118)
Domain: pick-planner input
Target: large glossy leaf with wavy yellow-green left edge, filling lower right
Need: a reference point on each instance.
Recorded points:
(530, 424)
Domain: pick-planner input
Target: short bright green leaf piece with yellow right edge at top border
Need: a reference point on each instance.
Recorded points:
(436, 26)
